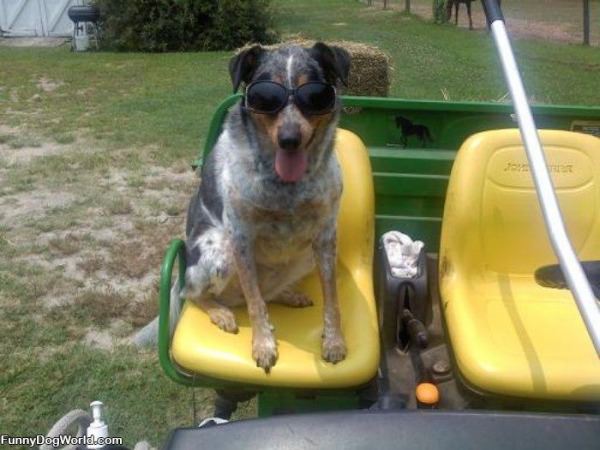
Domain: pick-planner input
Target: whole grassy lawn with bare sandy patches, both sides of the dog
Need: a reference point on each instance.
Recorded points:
(94, 179)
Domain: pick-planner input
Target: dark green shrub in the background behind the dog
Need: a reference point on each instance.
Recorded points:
(183, 25)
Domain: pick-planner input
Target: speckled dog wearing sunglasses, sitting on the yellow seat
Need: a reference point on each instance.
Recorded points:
(265, 212)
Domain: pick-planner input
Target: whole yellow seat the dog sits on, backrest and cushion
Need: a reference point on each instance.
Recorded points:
(200, 347)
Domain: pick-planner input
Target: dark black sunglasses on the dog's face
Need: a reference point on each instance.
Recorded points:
(269, 97)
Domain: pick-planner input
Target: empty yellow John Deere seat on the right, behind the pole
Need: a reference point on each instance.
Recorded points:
(510, 335)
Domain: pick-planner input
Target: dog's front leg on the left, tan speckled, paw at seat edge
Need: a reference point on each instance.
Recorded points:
(264, 347)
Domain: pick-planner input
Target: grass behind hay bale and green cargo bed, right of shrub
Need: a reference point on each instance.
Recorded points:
(428, 57)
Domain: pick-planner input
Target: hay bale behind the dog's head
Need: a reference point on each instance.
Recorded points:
(369, 69)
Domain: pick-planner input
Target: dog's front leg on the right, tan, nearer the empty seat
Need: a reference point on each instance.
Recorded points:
(333, 347)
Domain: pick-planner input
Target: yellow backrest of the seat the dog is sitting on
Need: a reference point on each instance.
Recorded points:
(356, 217)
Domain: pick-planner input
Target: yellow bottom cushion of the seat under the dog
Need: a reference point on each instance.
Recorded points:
(200, 347)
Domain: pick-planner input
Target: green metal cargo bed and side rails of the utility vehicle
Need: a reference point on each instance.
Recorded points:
(410, 186)
